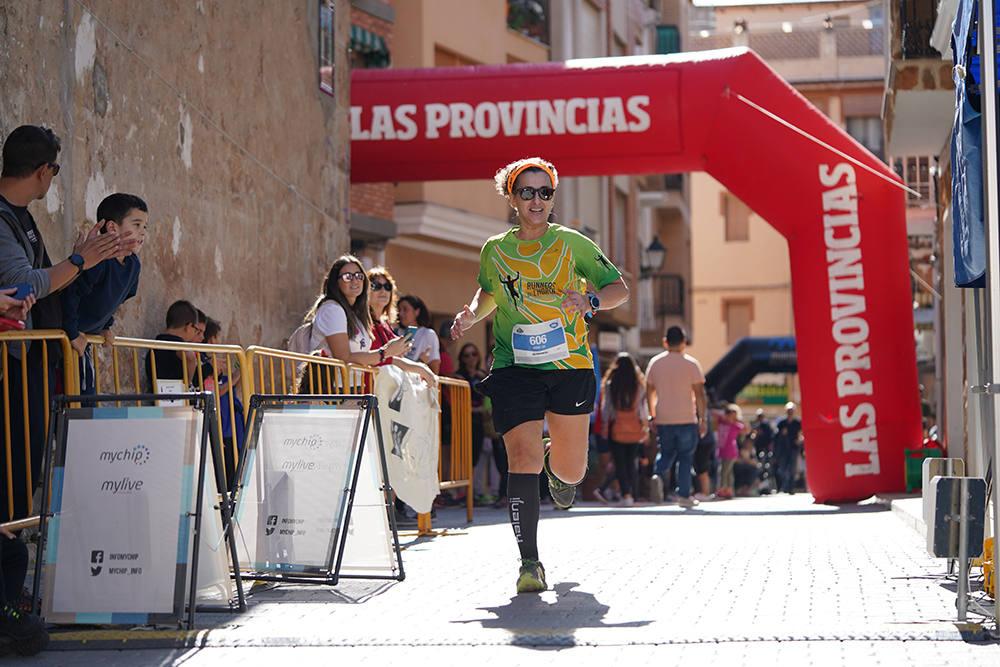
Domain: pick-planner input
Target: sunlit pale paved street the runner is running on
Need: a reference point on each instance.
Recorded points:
(771, 578)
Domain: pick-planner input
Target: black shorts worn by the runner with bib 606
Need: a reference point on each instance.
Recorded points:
(522, 394)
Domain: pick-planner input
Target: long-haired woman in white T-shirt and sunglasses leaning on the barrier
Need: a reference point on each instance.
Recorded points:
(342, 321)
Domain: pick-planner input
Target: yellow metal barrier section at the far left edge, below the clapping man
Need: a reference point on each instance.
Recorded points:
(11, 341)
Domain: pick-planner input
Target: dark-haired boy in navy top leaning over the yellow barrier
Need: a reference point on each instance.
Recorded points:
(89, 303)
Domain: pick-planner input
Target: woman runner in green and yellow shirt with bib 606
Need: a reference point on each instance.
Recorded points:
(535, 277)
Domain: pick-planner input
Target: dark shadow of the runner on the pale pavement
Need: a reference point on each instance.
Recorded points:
(536, 623)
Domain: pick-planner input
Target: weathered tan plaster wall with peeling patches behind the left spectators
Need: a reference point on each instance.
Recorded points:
(210, 110)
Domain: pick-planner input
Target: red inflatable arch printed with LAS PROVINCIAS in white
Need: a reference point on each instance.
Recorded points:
(843, 219)
